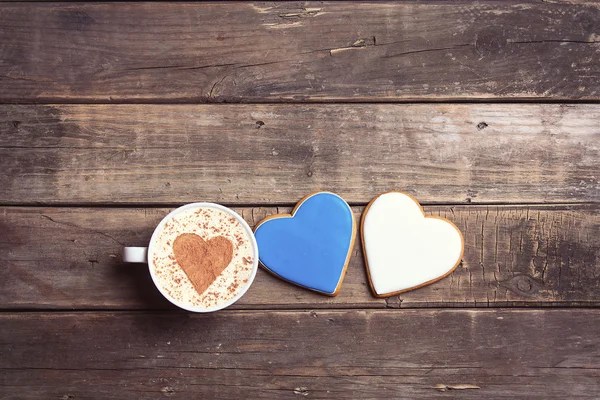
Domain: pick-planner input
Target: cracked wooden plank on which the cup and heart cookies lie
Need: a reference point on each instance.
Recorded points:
(63, 258)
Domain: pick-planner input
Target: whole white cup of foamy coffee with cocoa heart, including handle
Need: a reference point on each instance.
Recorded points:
(202, 257)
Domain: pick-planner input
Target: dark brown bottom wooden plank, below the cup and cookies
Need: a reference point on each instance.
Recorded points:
(553, 354)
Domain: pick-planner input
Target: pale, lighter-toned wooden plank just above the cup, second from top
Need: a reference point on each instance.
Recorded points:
(276, 154)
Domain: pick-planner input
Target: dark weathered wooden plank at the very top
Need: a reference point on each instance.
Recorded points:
(299, 51)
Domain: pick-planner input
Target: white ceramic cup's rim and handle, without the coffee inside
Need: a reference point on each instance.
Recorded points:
(144, 254)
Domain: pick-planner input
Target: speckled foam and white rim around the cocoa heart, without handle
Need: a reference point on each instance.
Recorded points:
(207, 220)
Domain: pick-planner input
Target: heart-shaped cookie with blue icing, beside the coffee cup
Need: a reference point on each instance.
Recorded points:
(310, 248)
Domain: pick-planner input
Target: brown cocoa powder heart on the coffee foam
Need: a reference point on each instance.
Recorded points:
(202, 260)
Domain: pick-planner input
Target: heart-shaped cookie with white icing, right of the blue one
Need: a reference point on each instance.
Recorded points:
(405, 250)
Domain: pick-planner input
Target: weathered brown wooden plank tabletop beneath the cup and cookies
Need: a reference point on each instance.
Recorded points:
(112, 114)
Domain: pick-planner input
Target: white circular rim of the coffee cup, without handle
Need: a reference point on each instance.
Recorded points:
(246, 227)
